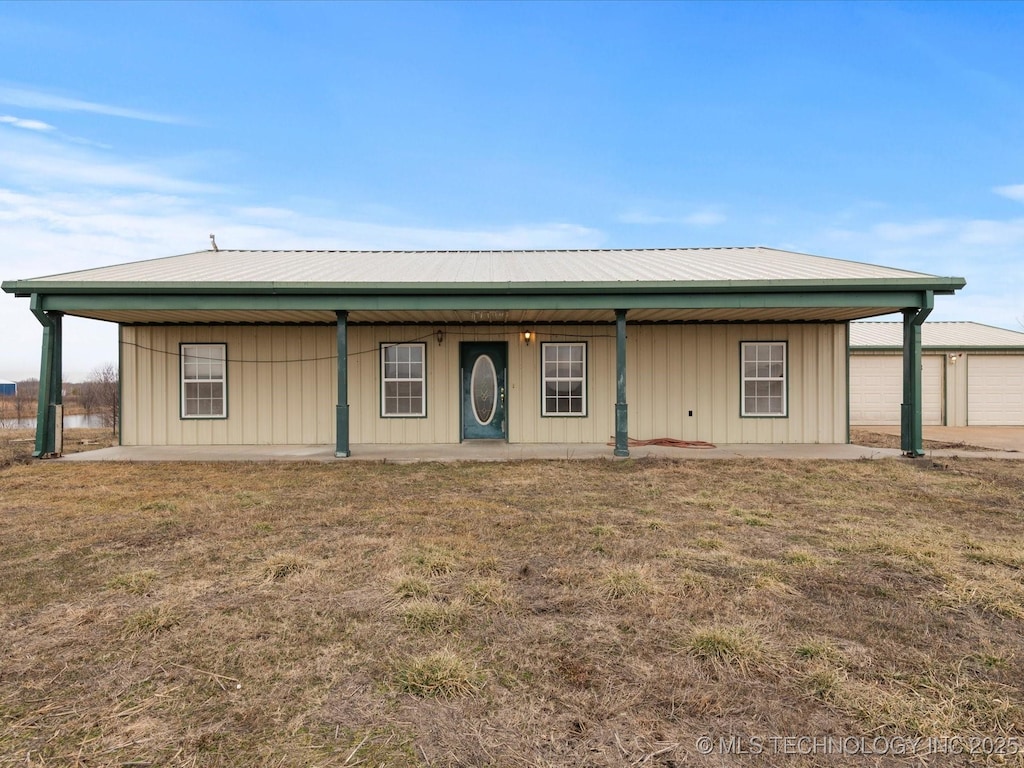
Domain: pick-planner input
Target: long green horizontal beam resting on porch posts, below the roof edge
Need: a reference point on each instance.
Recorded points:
(440, 302)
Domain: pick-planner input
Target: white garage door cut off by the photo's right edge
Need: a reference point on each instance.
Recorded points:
(996, 391)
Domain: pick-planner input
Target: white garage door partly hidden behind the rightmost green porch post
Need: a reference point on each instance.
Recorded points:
(877, 390)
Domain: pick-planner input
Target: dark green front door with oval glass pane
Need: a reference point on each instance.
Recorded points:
(484, 377)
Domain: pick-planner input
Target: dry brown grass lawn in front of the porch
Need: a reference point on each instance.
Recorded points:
(505, 615)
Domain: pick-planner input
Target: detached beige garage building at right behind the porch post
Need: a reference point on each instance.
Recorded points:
(971, 374)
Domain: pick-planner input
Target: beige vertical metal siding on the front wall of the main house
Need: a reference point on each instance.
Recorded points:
(282, 385)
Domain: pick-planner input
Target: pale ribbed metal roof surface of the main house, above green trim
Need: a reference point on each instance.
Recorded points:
(455, 268)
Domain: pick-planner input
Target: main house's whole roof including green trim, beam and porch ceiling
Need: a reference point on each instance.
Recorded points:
(748, 285)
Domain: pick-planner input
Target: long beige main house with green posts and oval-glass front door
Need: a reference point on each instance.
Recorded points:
(350, 348)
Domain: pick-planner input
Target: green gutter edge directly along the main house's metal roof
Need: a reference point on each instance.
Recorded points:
(940, 285)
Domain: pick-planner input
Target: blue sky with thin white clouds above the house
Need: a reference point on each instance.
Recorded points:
(884, 133)
